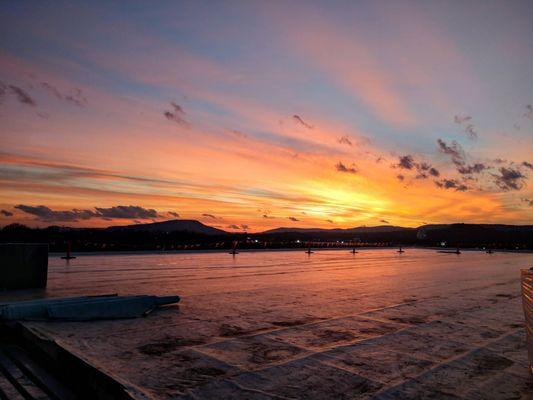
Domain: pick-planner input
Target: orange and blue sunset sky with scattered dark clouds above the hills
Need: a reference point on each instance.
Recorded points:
(254, 115)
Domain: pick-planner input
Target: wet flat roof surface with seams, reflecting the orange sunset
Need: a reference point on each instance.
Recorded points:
(290, 325)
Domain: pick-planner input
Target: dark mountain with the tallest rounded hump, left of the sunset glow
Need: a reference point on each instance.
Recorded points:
(174, 225)
